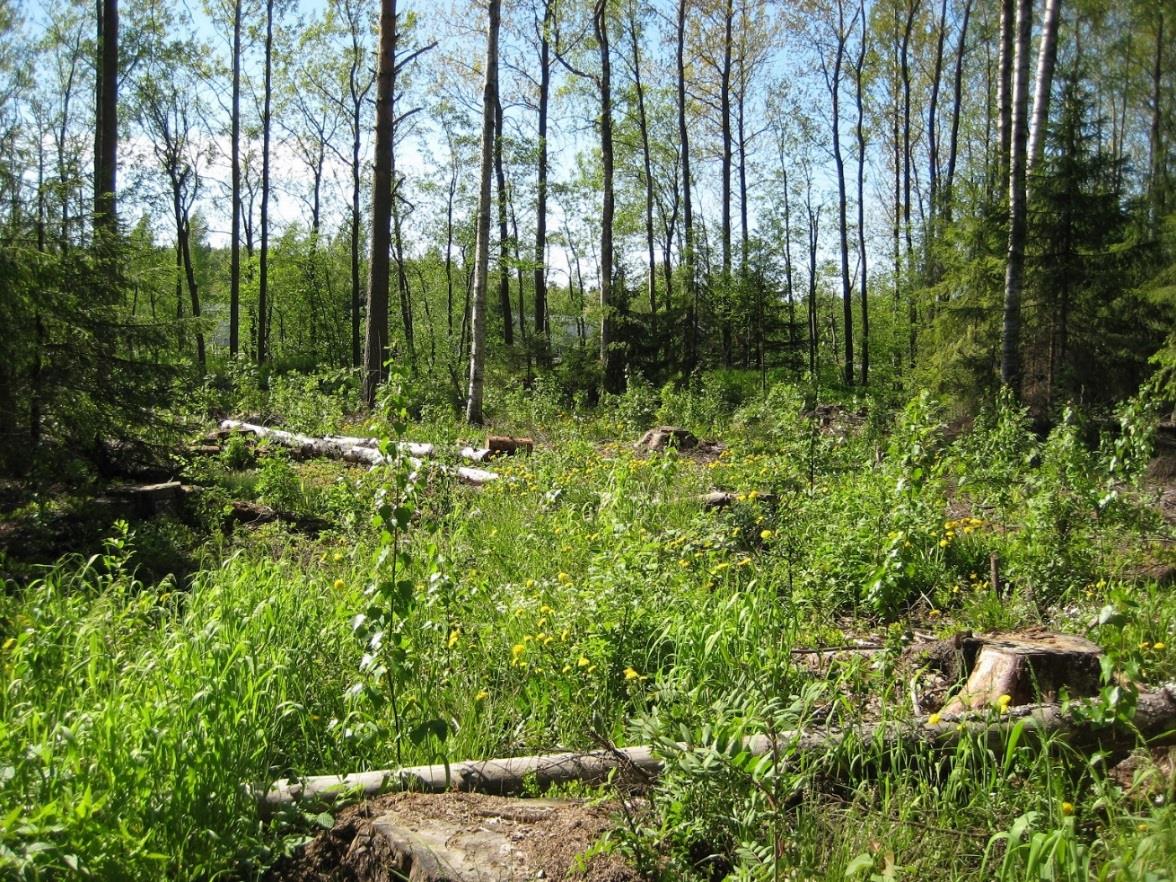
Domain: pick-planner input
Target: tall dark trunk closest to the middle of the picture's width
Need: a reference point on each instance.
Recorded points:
(612, 353)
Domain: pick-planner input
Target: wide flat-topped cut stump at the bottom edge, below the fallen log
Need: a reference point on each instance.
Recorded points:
(462, 838)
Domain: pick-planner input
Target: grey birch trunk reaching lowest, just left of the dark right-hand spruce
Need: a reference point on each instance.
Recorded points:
(1014, 271)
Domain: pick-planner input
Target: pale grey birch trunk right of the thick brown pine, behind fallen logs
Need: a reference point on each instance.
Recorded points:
(483, 257)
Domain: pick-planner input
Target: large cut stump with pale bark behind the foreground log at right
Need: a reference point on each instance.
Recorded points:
(1028, 669)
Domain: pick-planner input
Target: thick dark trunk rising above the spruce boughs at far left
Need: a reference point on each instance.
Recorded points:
(106, 130)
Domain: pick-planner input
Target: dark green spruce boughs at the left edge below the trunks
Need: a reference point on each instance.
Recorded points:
(81, 372)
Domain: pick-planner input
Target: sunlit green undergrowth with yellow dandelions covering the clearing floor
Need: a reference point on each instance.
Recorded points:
(586, 599)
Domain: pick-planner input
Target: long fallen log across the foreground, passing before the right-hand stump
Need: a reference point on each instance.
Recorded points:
(1155, 721)
